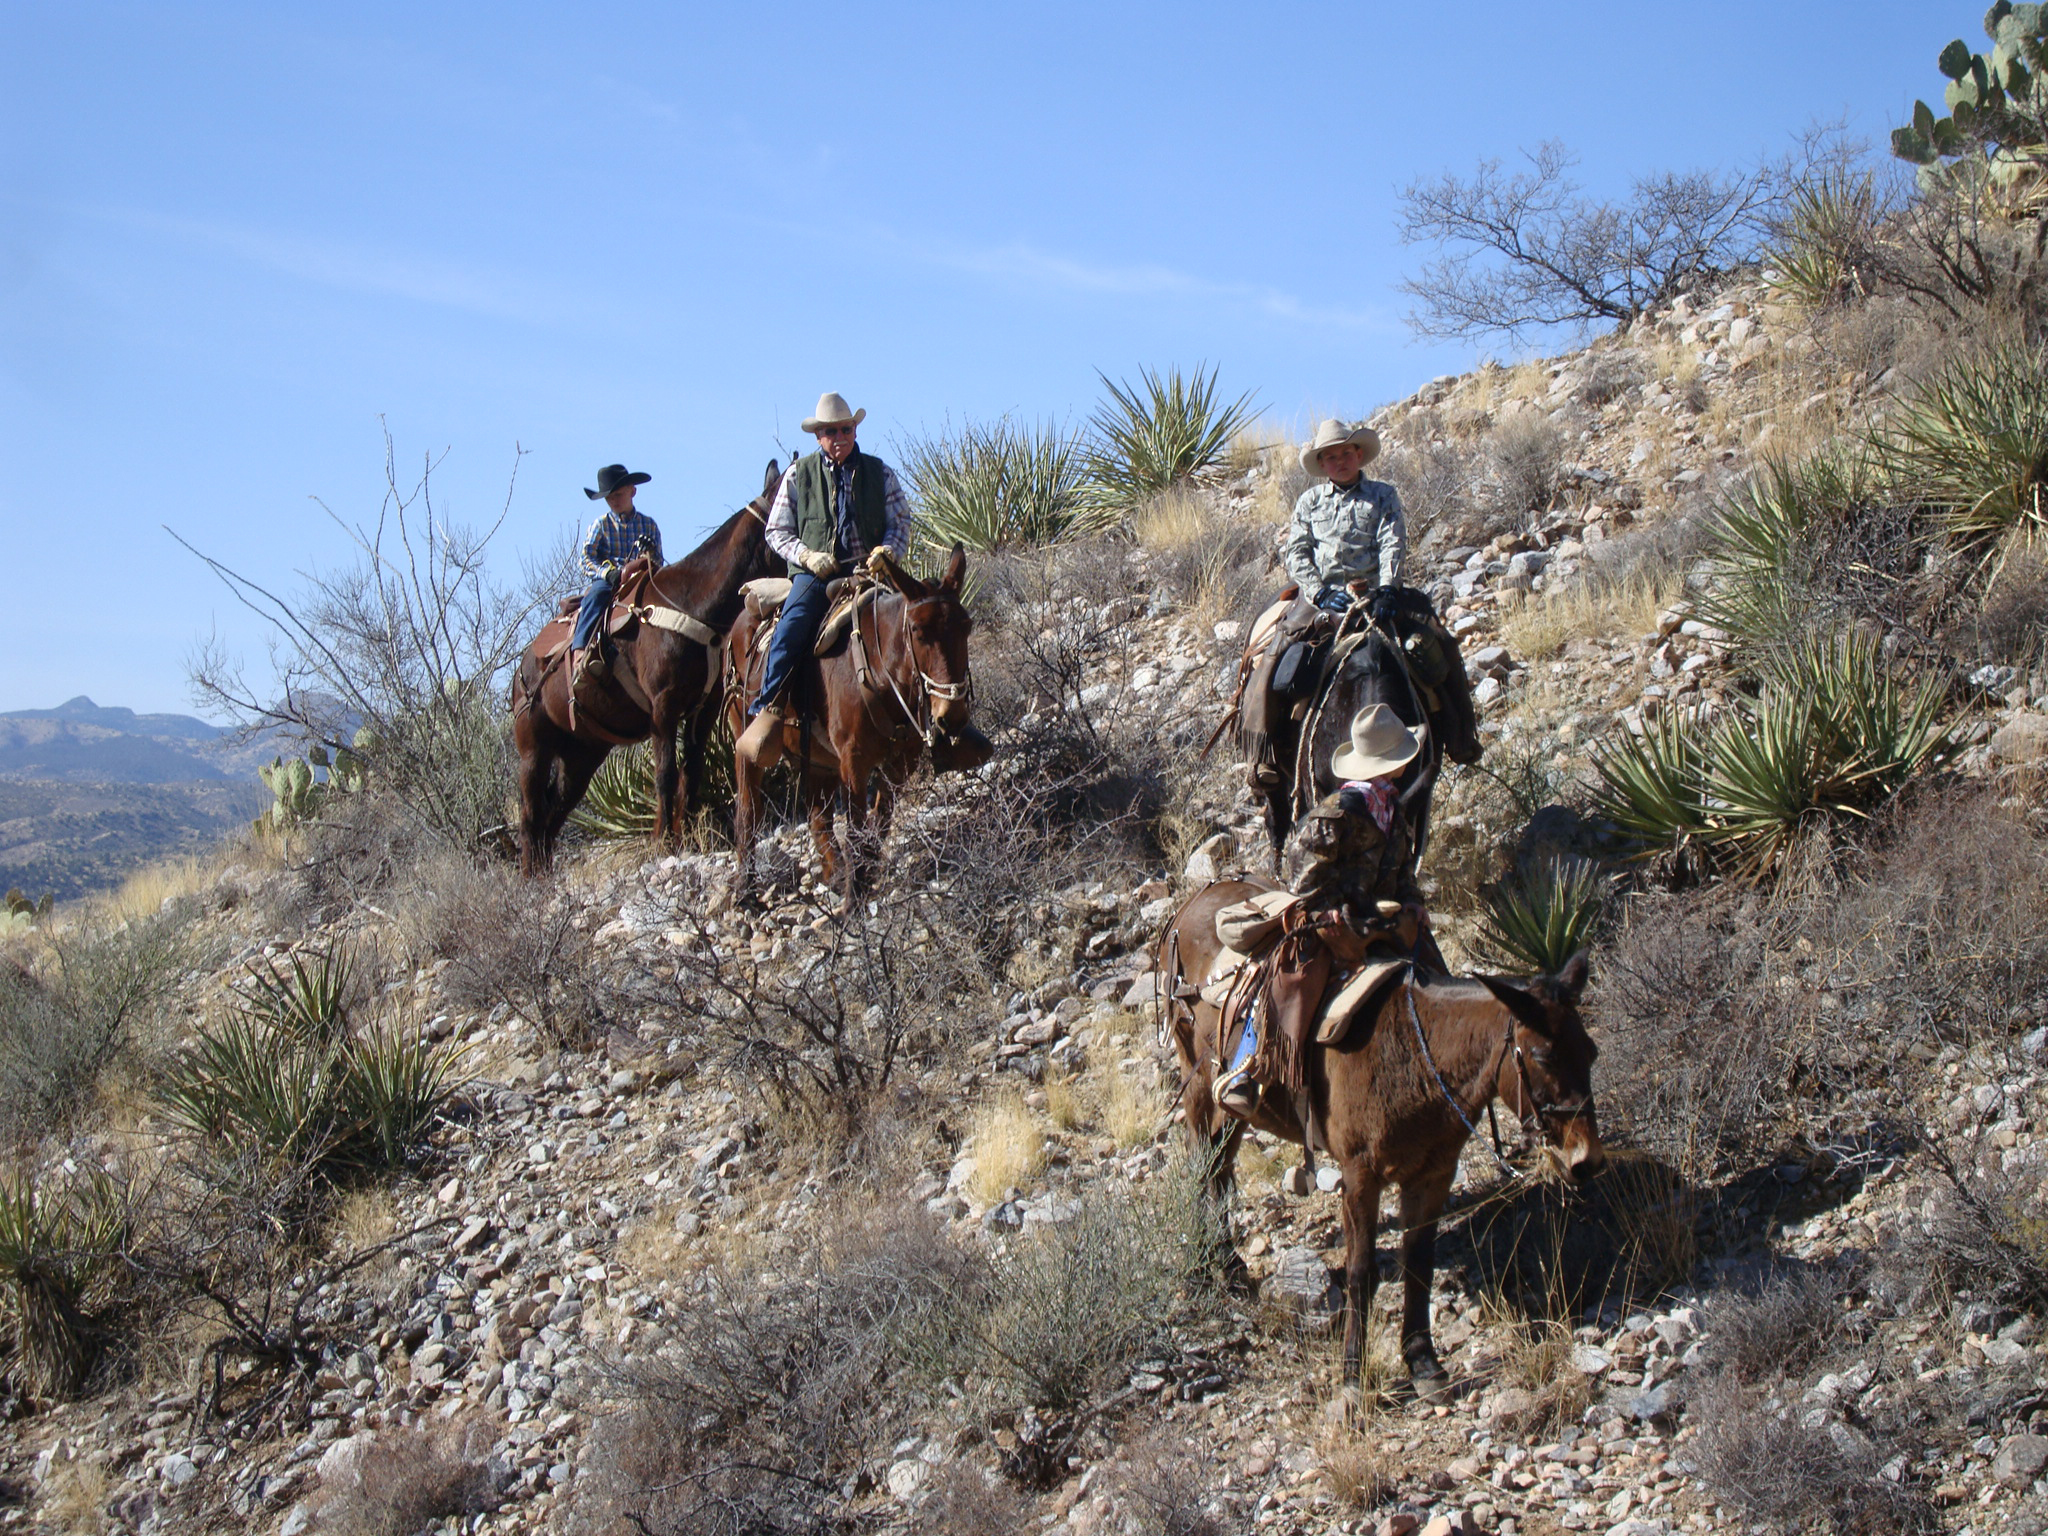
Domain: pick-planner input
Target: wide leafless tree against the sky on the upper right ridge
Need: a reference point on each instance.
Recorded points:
(1527, 251)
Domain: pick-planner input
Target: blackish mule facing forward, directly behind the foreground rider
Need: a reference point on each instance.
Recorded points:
(1377, 673)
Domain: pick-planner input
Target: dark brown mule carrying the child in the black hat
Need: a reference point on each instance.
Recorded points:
(679, 677)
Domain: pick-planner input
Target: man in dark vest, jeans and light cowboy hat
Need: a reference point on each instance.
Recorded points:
(835, 509)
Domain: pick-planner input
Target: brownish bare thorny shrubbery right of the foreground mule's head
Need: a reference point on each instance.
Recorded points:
(1734, 1019)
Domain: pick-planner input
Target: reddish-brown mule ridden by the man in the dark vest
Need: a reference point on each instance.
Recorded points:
(863, 712)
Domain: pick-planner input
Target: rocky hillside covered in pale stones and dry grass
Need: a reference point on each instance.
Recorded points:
(642, 1197)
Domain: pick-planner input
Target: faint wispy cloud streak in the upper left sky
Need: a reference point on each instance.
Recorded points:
(366, 269)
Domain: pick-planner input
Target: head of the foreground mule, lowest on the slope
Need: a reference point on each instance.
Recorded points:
(1547, 1074)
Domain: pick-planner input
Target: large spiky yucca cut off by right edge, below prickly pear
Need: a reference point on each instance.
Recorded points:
(1975, 443)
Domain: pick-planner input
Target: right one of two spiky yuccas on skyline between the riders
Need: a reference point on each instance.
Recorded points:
(1162, 433)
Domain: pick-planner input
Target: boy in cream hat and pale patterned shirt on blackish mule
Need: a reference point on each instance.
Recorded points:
(1347, 527)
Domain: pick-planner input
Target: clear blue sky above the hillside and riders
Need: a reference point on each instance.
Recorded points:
(232, 239)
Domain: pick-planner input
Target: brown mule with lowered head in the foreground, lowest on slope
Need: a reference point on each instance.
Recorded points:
(1398, 1101)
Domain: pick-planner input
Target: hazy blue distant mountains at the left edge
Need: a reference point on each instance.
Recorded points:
(91, 794)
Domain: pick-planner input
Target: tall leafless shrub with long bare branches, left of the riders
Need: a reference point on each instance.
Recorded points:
(402, 658)
